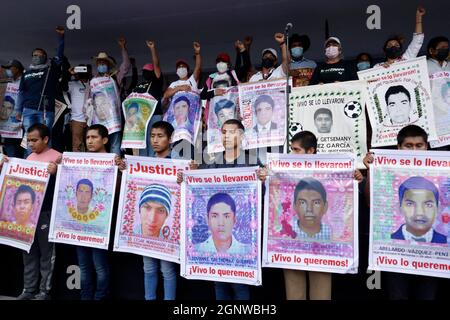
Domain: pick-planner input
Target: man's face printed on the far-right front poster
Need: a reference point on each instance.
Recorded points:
(419, 208)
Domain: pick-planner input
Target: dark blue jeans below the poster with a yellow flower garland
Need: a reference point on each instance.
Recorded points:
(90, 260)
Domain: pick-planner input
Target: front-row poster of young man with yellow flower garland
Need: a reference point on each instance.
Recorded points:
(83, 199)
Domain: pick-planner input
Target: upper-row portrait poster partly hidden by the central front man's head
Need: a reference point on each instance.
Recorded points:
(221, 109)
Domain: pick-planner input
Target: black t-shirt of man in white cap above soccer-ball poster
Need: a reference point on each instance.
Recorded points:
(329, 73)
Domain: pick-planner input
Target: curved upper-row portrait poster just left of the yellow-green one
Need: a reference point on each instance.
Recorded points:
(103, 105)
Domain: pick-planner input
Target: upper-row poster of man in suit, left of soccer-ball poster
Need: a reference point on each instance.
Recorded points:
(263, 113)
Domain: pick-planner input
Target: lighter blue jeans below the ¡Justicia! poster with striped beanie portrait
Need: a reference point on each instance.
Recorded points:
(151, 278)
